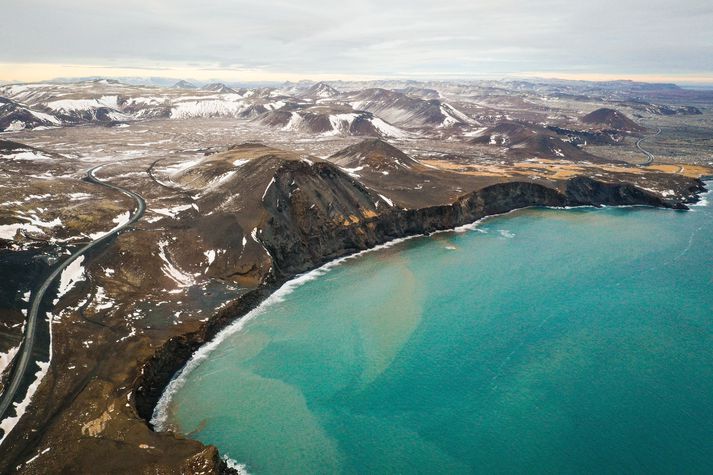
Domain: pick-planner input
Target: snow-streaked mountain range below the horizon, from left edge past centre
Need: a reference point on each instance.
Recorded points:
(317, 108)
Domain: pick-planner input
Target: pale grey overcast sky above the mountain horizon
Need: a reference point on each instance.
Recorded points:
(384, 38)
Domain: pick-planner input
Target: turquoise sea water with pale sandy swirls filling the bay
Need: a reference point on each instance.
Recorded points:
(544, 341)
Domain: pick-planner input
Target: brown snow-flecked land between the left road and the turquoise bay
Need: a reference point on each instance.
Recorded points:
(255, 216)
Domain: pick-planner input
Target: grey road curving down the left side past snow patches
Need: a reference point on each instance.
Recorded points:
(23, 359)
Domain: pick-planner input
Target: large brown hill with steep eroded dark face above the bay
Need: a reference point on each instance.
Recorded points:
(260, 202)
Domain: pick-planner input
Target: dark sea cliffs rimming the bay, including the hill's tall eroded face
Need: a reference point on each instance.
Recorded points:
(318, 213)
